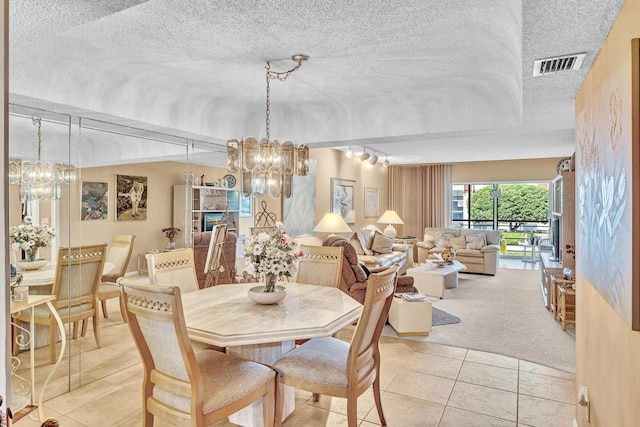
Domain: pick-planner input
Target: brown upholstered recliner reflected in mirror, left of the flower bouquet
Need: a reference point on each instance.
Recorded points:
(201, 248)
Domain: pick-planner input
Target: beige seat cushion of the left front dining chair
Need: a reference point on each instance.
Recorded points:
(225, 379)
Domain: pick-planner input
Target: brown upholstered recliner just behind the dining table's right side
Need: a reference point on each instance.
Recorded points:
(353, 280)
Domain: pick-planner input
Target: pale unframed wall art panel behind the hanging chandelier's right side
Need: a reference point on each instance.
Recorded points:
(298, 211)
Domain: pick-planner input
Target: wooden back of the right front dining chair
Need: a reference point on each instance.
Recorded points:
(364, 354)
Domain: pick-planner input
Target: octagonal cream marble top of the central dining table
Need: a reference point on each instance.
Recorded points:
(224, 315)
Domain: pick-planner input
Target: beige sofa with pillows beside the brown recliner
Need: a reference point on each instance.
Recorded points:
(374, 250)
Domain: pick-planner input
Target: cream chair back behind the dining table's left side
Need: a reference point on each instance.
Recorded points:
(173, 268)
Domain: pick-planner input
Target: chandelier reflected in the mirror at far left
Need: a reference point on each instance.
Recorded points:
(39, 180)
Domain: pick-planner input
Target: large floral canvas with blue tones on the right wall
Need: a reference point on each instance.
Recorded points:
(607, 183)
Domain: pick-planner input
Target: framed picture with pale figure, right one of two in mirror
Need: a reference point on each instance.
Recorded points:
(131, 202)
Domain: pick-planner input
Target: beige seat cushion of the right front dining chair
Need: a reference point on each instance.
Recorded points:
(321, 360)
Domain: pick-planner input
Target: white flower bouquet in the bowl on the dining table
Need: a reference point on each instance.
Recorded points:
(271, 255)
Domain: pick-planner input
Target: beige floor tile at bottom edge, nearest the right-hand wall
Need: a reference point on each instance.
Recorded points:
(537, 412)
